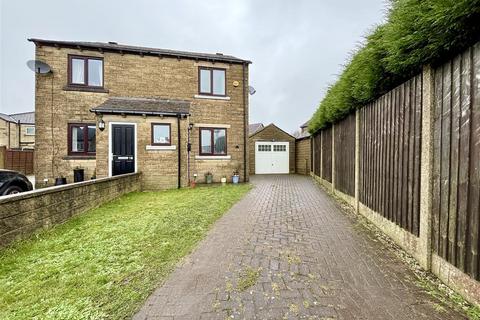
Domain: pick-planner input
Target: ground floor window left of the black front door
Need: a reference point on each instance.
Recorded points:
(81, 139)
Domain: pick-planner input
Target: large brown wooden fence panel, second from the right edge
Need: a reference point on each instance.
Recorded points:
(389, 155)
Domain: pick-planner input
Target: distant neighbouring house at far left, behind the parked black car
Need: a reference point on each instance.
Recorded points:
(17, 131)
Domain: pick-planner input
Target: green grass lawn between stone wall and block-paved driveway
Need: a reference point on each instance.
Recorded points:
(104, 264)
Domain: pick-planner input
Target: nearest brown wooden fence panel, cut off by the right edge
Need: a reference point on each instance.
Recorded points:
(456, 169)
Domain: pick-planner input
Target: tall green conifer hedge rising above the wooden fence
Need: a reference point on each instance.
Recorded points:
(416, 33)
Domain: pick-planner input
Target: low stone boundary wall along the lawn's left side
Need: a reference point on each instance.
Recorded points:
(23, 214)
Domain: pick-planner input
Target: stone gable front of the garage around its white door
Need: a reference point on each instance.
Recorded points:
(271, 133)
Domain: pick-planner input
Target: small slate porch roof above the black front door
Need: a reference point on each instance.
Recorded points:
(148, 106)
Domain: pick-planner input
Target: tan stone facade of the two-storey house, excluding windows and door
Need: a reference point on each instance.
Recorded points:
(139, 76)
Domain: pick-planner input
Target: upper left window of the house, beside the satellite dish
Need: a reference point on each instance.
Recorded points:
(85, 71)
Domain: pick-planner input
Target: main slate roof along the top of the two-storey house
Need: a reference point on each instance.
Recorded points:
(115, 47)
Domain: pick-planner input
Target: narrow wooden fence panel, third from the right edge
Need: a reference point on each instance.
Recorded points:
(344, 136)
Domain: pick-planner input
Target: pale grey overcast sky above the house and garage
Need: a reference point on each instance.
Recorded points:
(297, 47)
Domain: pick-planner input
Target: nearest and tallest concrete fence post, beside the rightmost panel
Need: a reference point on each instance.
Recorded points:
(426, 170)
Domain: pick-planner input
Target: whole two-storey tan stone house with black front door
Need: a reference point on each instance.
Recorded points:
(111, 109)
